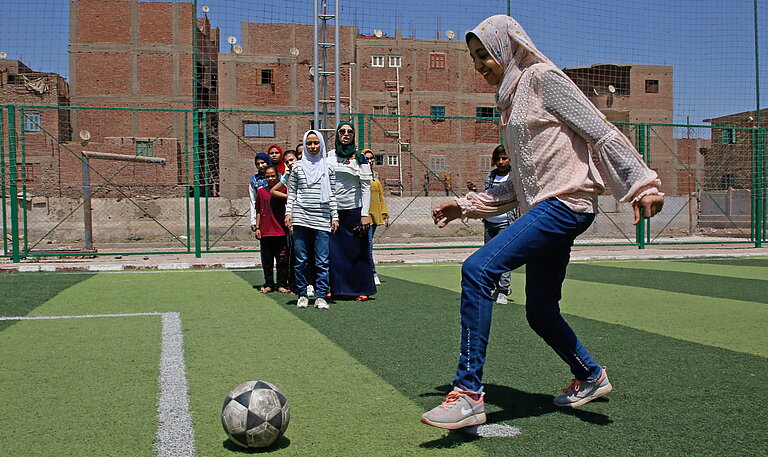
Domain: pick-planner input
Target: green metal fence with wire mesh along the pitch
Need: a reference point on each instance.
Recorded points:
(186, 192)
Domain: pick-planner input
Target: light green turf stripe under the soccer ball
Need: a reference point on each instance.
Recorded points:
(232, 334)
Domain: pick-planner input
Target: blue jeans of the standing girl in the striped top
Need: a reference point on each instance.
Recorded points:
(305, 240)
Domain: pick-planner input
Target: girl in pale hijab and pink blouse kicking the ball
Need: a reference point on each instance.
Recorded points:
(549, 129)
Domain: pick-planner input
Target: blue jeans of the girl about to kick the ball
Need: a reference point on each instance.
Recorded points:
(541, 239)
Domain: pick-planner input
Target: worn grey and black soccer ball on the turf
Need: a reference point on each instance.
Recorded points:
(255, 414)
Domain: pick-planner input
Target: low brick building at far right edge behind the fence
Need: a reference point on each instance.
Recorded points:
(729, 160)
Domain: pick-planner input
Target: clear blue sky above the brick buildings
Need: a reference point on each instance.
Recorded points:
(710, 44)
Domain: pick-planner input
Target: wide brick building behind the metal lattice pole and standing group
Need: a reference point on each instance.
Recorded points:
(380, 76)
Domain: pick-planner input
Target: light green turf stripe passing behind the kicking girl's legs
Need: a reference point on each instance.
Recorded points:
(731, 324)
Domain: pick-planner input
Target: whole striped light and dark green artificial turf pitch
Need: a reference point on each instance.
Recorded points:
(687, 360)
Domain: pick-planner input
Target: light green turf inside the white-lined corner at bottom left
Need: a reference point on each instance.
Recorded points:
(79, 387)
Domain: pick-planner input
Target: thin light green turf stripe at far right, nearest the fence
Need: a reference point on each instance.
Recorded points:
(713, 269)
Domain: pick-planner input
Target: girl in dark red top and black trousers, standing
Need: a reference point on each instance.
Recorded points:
(270, 231)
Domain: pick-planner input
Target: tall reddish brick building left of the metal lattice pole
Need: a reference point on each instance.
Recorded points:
(139, 55)
